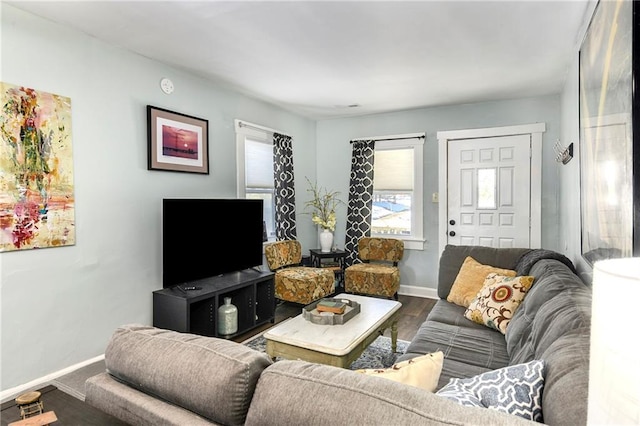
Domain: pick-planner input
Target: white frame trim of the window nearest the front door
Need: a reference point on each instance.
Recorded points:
(416, 240)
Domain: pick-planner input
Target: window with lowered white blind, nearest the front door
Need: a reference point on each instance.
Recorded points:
(397, 190)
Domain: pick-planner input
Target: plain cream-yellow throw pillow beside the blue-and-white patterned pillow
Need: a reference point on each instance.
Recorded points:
(422, 372)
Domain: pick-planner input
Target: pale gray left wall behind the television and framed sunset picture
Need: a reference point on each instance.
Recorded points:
(59, 306)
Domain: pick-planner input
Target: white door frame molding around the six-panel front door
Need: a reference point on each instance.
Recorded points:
(535, 131)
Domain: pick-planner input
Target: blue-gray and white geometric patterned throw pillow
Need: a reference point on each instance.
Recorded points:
(516, 389)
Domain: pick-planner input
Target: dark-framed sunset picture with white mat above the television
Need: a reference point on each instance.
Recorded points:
(177, 142)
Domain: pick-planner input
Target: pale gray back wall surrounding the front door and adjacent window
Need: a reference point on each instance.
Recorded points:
(419, 268)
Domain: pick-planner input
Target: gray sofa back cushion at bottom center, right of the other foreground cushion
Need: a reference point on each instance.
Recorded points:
(303, 393)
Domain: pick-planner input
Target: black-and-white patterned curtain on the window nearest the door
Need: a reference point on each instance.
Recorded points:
(360, 198)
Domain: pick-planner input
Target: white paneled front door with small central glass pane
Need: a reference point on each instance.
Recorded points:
(489, 189)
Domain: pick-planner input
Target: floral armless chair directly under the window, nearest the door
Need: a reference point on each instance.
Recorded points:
(378, 274)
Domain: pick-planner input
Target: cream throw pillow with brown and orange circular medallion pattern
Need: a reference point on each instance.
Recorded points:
(497, 300)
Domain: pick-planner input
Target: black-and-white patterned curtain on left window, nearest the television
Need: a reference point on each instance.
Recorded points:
(284, 191)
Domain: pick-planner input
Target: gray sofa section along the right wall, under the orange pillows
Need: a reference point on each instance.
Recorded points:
(552, 324)
